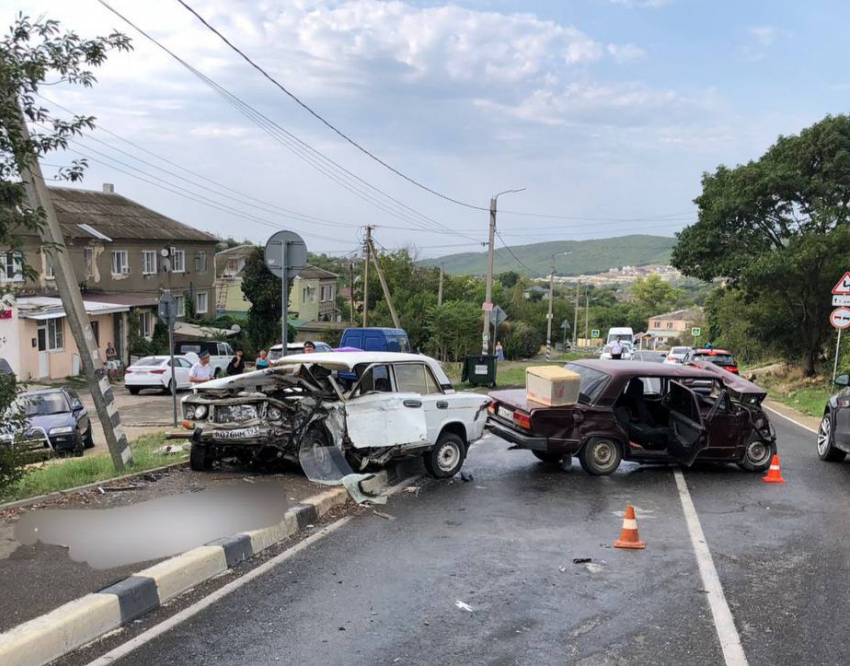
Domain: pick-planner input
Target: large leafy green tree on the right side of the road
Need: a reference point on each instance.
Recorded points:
(777, 229)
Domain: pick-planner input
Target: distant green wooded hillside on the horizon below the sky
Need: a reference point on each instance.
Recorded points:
(590, 256)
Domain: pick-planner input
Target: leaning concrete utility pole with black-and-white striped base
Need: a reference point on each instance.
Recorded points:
(75, 311)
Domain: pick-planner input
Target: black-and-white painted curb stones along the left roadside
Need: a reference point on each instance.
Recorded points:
(55, 634)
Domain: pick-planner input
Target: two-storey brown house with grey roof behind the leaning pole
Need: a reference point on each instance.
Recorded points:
(119, 249)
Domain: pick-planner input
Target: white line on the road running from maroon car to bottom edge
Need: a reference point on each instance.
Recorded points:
(724, 623)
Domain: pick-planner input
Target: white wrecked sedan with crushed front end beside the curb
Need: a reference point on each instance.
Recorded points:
(371, 406)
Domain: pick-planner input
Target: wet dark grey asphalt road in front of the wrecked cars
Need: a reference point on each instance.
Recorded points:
(383, 591)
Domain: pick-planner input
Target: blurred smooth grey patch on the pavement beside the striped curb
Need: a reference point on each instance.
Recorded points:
(106, 538)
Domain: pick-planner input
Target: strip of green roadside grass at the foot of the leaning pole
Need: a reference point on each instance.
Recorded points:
(65, 473)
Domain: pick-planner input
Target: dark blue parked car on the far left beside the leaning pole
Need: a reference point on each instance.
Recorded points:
(56, 419)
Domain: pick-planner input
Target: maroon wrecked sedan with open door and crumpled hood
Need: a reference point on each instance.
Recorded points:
(644, 412)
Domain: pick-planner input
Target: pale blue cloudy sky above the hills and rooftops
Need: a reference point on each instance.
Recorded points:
(608, 112)
